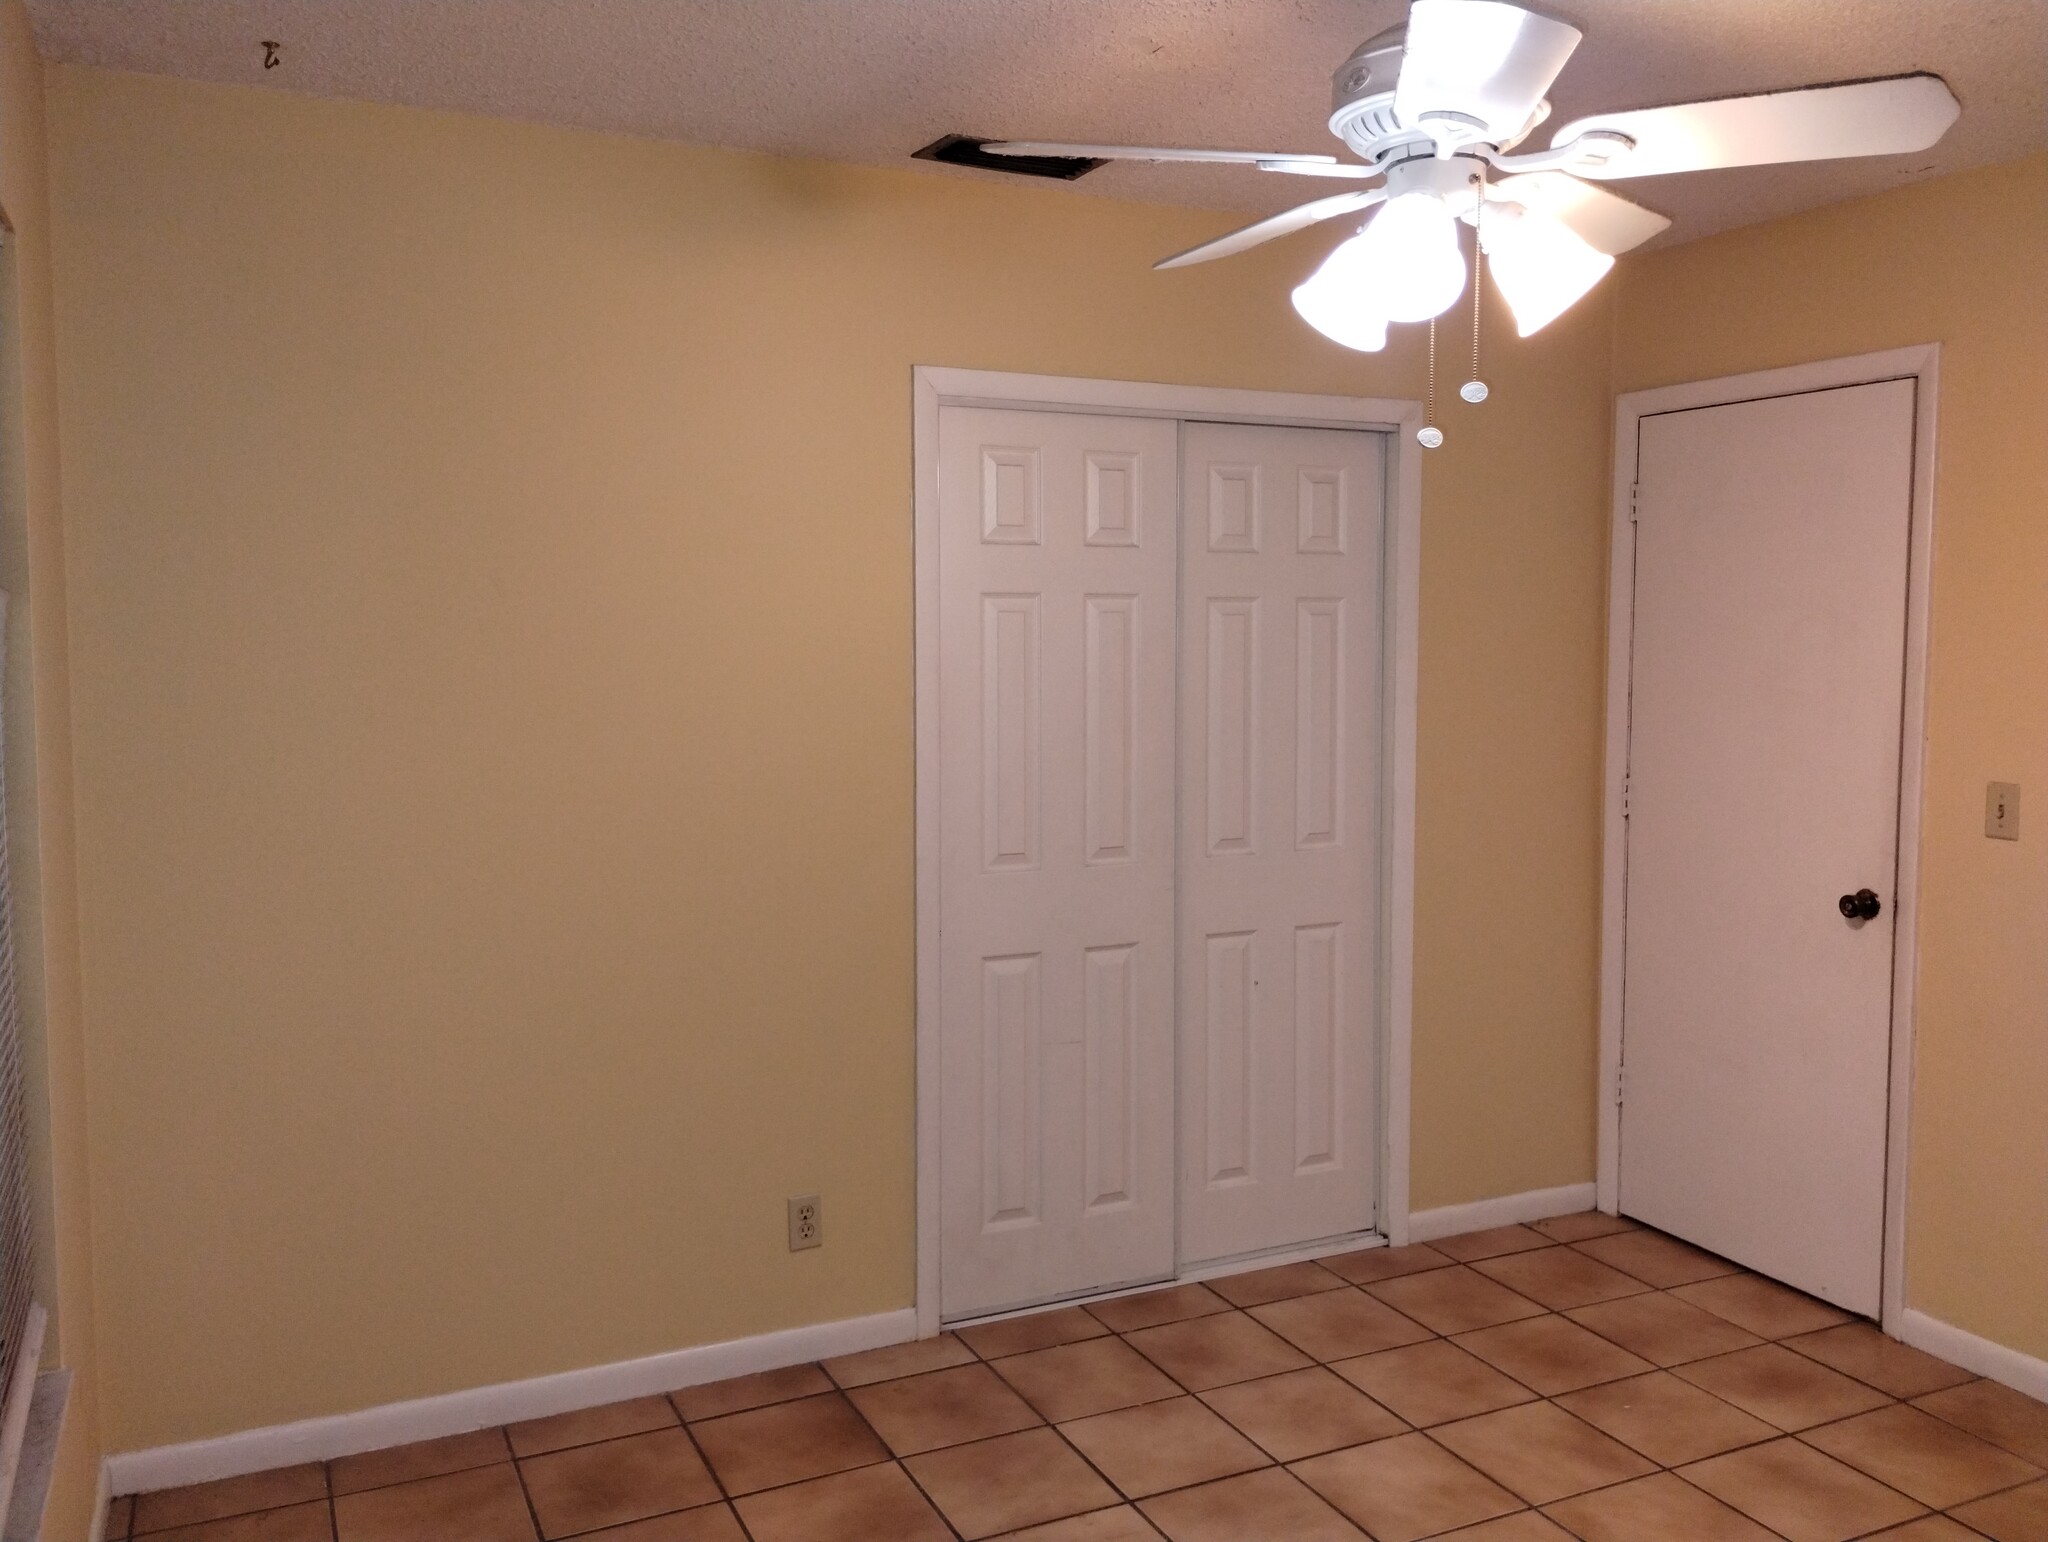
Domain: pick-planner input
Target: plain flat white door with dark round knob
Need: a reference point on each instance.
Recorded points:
(1766, 701)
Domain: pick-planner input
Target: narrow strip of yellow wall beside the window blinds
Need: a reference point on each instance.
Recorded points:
(40, 771)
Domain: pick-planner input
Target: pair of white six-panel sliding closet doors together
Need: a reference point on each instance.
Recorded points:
(1158, 718)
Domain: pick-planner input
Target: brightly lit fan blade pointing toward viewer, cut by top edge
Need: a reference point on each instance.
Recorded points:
(1482, 58)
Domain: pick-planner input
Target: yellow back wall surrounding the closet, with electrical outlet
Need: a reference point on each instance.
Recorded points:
(493, 607)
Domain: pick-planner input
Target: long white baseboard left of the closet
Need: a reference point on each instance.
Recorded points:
(452, 1414)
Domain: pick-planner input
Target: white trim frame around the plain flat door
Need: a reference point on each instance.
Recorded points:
(1920, 366)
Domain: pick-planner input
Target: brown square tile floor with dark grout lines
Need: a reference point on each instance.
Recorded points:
(1574, 1379)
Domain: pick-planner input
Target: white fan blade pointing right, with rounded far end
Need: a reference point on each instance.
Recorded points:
(1865, 118)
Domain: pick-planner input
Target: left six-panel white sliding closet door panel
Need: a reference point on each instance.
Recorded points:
(1056, 734)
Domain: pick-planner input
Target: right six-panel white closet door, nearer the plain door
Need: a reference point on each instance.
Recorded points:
(1279, 834)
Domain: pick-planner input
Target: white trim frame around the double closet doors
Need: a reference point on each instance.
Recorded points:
(935, 388)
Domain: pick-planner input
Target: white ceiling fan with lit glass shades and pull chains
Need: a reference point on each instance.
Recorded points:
(1437, 108)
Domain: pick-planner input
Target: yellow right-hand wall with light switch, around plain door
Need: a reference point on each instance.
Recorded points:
(1965, 263)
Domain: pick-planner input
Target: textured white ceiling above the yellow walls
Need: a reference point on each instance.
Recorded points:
(869, 81)
